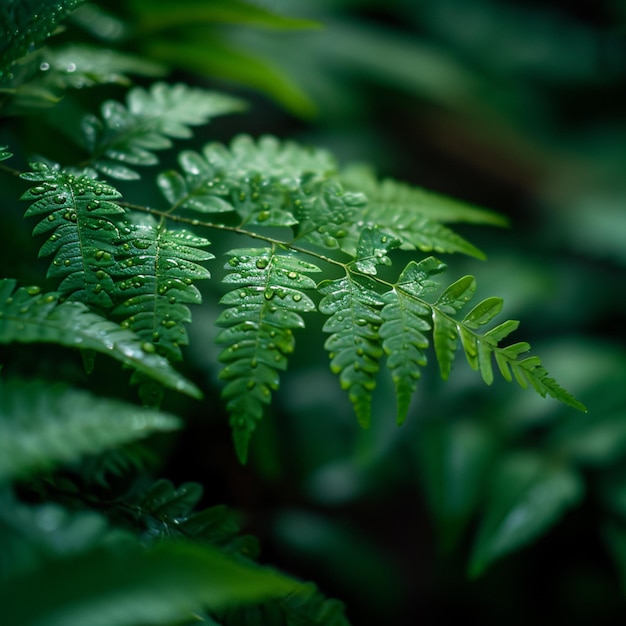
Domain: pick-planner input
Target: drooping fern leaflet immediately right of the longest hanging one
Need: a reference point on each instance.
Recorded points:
(354, 344)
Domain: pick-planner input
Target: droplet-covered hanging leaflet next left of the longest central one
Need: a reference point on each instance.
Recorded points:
(157, 267)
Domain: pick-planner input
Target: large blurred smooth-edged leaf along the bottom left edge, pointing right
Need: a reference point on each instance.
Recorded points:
(118, 583)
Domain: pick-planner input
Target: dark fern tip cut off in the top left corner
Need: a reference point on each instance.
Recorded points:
(25, 24)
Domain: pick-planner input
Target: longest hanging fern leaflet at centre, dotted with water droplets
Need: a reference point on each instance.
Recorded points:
(258, 335)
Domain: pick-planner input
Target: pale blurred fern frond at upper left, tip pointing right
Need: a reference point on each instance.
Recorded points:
(129, 135)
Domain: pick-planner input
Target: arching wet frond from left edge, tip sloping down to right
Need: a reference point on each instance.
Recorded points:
(29, 316)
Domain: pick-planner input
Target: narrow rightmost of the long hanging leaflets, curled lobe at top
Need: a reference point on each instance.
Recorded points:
(405, 324)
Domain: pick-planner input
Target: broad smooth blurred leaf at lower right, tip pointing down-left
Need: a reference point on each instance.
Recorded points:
(528, 495)
